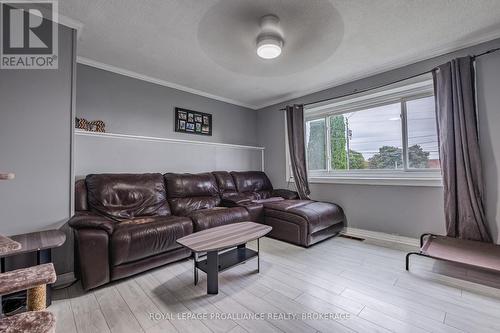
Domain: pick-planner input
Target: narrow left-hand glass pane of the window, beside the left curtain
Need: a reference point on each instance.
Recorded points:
(316, 144)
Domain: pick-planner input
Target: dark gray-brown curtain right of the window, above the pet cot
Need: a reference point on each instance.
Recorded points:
(459, 150)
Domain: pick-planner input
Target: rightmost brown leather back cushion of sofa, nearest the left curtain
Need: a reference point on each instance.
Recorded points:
(256, 182)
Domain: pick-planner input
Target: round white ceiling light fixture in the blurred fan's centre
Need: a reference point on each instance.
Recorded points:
(270, 40)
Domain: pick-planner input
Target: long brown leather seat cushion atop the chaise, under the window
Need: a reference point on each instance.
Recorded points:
(317, 215)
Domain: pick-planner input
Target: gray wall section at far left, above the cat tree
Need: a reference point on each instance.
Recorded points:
(35, 140)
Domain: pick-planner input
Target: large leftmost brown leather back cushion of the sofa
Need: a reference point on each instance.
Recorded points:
(125, 196)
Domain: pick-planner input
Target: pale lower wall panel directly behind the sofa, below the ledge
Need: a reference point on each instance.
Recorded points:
(101, 154)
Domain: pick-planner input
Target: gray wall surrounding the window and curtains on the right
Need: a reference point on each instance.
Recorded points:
(407, 211)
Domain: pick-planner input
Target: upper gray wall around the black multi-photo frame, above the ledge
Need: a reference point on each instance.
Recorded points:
(132, 106)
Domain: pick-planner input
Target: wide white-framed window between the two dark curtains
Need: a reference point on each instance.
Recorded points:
(386, 134)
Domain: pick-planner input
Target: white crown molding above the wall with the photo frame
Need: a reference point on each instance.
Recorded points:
(135, 75)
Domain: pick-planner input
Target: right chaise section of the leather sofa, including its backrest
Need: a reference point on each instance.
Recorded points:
(301, 222)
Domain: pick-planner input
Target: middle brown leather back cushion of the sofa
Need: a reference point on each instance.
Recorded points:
(190, 192)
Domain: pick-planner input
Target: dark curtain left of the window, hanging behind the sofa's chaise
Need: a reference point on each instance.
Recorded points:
(296, 144)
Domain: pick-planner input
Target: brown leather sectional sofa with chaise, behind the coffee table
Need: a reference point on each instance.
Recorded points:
(128, 223)
